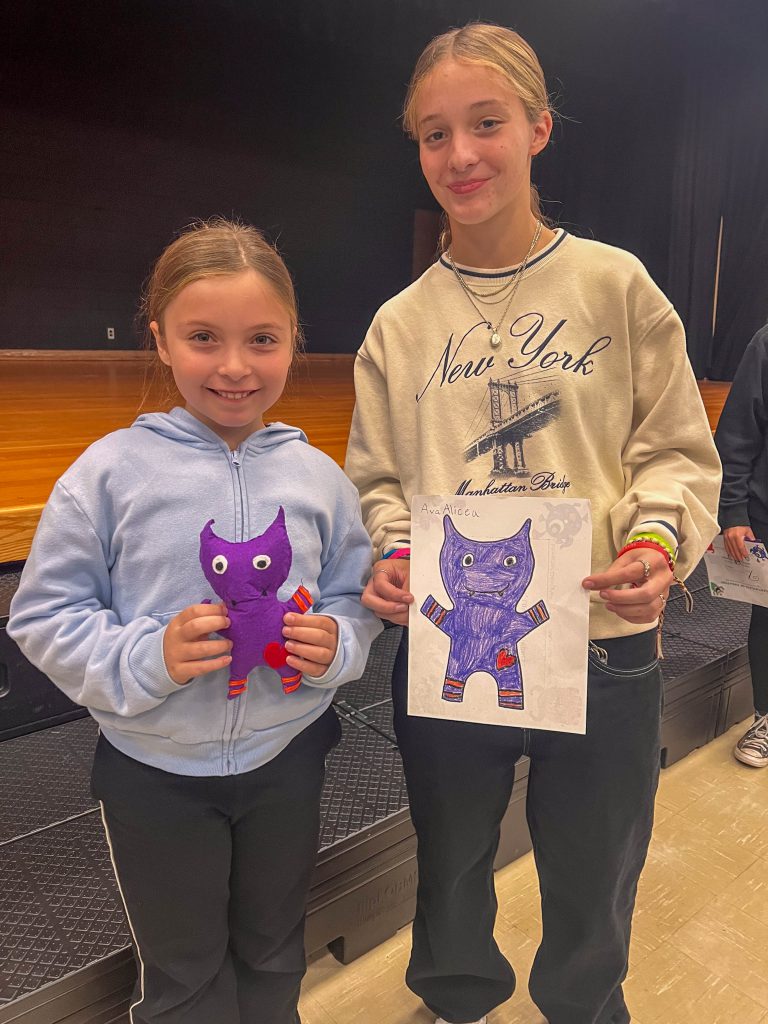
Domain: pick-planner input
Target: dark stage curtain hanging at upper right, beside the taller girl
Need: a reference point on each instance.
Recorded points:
(721, 172)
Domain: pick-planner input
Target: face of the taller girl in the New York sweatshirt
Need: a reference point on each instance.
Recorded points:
(477, 144)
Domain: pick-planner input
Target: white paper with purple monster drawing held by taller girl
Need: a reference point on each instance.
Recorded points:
(499, 628)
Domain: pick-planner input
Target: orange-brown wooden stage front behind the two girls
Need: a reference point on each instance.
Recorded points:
(56, 403)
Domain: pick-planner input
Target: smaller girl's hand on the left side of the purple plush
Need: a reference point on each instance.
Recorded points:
(188, 650)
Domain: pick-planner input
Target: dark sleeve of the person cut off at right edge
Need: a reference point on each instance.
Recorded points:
(741, 434)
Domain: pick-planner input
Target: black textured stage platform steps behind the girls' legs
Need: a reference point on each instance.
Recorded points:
(65, 953)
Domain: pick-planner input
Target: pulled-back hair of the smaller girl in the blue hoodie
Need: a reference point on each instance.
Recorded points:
(215, 248)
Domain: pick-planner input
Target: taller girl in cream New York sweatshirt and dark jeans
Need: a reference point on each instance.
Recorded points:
(516, 315)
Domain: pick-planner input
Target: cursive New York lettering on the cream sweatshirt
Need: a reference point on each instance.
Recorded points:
(533, 352)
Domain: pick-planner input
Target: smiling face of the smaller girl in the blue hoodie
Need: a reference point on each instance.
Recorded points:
(229, 343)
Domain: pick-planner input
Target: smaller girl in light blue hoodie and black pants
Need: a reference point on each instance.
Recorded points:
(210, 805)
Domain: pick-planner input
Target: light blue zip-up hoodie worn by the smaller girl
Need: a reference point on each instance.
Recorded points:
(116, 558)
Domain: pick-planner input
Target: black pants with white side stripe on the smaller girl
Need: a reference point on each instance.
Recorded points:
(215, 874)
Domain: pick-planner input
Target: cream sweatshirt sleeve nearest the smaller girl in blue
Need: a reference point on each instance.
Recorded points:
(372, 461)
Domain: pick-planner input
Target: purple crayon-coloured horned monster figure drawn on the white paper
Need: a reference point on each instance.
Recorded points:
(485, 581)
